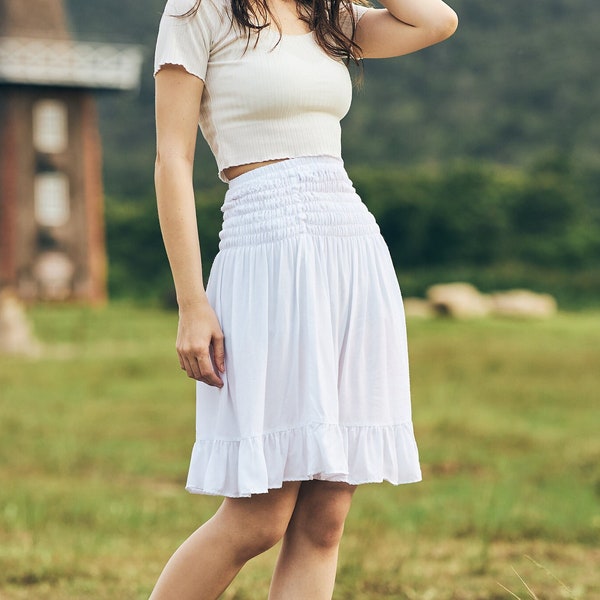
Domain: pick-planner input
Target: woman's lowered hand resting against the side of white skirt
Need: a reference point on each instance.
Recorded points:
(200, 344)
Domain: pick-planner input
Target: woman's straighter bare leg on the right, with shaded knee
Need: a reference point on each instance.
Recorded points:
(307, 562)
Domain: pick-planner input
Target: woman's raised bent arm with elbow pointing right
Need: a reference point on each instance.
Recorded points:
(404, 26)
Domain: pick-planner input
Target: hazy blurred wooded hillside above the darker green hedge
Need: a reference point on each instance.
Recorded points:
(518, 79)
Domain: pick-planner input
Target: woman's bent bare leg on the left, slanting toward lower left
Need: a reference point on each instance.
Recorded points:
(205, 564)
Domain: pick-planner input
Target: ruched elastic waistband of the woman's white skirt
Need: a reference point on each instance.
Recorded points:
(291, 198)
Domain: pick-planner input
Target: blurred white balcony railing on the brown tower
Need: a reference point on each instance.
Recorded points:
(70, 63)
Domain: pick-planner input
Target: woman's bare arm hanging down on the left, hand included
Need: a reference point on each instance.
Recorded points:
(199, 337)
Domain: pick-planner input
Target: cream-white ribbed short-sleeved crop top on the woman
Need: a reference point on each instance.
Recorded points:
(269, 101)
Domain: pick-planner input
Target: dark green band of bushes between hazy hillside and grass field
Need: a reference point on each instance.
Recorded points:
(497, 227)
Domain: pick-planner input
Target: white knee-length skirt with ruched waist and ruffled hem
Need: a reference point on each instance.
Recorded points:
(316, 383)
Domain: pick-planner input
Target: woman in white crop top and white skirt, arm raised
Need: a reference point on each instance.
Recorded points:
(298, 343)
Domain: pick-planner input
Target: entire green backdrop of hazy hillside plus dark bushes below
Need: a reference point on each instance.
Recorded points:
(480, 156)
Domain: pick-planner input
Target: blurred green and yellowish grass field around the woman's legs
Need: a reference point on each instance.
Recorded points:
(95, 437)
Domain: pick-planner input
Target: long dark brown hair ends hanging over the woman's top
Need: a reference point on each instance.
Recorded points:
(322, 17)
